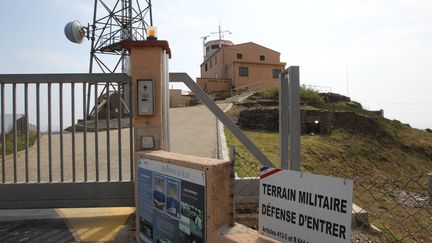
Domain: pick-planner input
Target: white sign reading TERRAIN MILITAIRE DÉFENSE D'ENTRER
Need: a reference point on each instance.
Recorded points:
(307, 208)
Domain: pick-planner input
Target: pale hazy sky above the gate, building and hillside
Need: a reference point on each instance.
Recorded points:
(379, 52)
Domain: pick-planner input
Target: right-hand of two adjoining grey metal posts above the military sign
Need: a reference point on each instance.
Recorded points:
(294, 117)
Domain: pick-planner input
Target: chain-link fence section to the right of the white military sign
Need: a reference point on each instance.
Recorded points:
(394, 209)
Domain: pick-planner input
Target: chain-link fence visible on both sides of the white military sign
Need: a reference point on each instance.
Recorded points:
(384, 210)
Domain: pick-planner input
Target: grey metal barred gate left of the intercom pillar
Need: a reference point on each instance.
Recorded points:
(56, 153)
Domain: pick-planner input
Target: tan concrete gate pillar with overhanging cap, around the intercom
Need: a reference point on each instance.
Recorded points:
(149, 62)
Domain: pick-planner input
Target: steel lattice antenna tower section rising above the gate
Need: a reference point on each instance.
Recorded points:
(114, 21)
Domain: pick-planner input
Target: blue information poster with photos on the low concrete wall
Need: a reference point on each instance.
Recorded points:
(171, 203)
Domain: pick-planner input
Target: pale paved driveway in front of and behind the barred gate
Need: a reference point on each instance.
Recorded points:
(193, 132)
